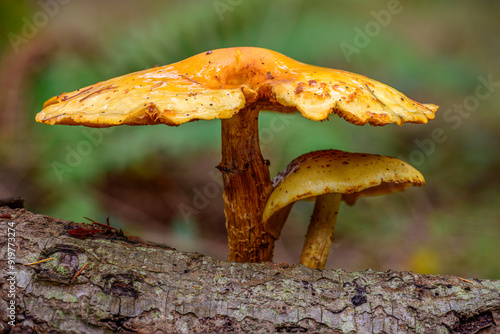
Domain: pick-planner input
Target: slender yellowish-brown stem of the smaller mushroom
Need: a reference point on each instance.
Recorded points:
(321, 231)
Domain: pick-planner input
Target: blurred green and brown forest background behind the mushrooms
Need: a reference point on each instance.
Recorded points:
(160, 183)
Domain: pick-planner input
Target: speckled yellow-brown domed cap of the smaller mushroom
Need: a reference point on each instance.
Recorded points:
(332, 171)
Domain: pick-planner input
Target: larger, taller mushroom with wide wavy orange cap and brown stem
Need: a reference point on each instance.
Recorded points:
(234, 85)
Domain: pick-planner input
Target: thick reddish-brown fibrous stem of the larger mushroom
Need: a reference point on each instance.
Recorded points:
(247, 185)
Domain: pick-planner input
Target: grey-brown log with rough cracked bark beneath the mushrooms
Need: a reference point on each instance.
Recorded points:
(133, 287)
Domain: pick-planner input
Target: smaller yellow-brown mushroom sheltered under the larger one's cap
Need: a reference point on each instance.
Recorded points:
(331, 176)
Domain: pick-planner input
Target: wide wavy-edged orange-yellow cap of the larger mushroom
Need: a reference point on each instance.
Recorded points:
(219, 83)
